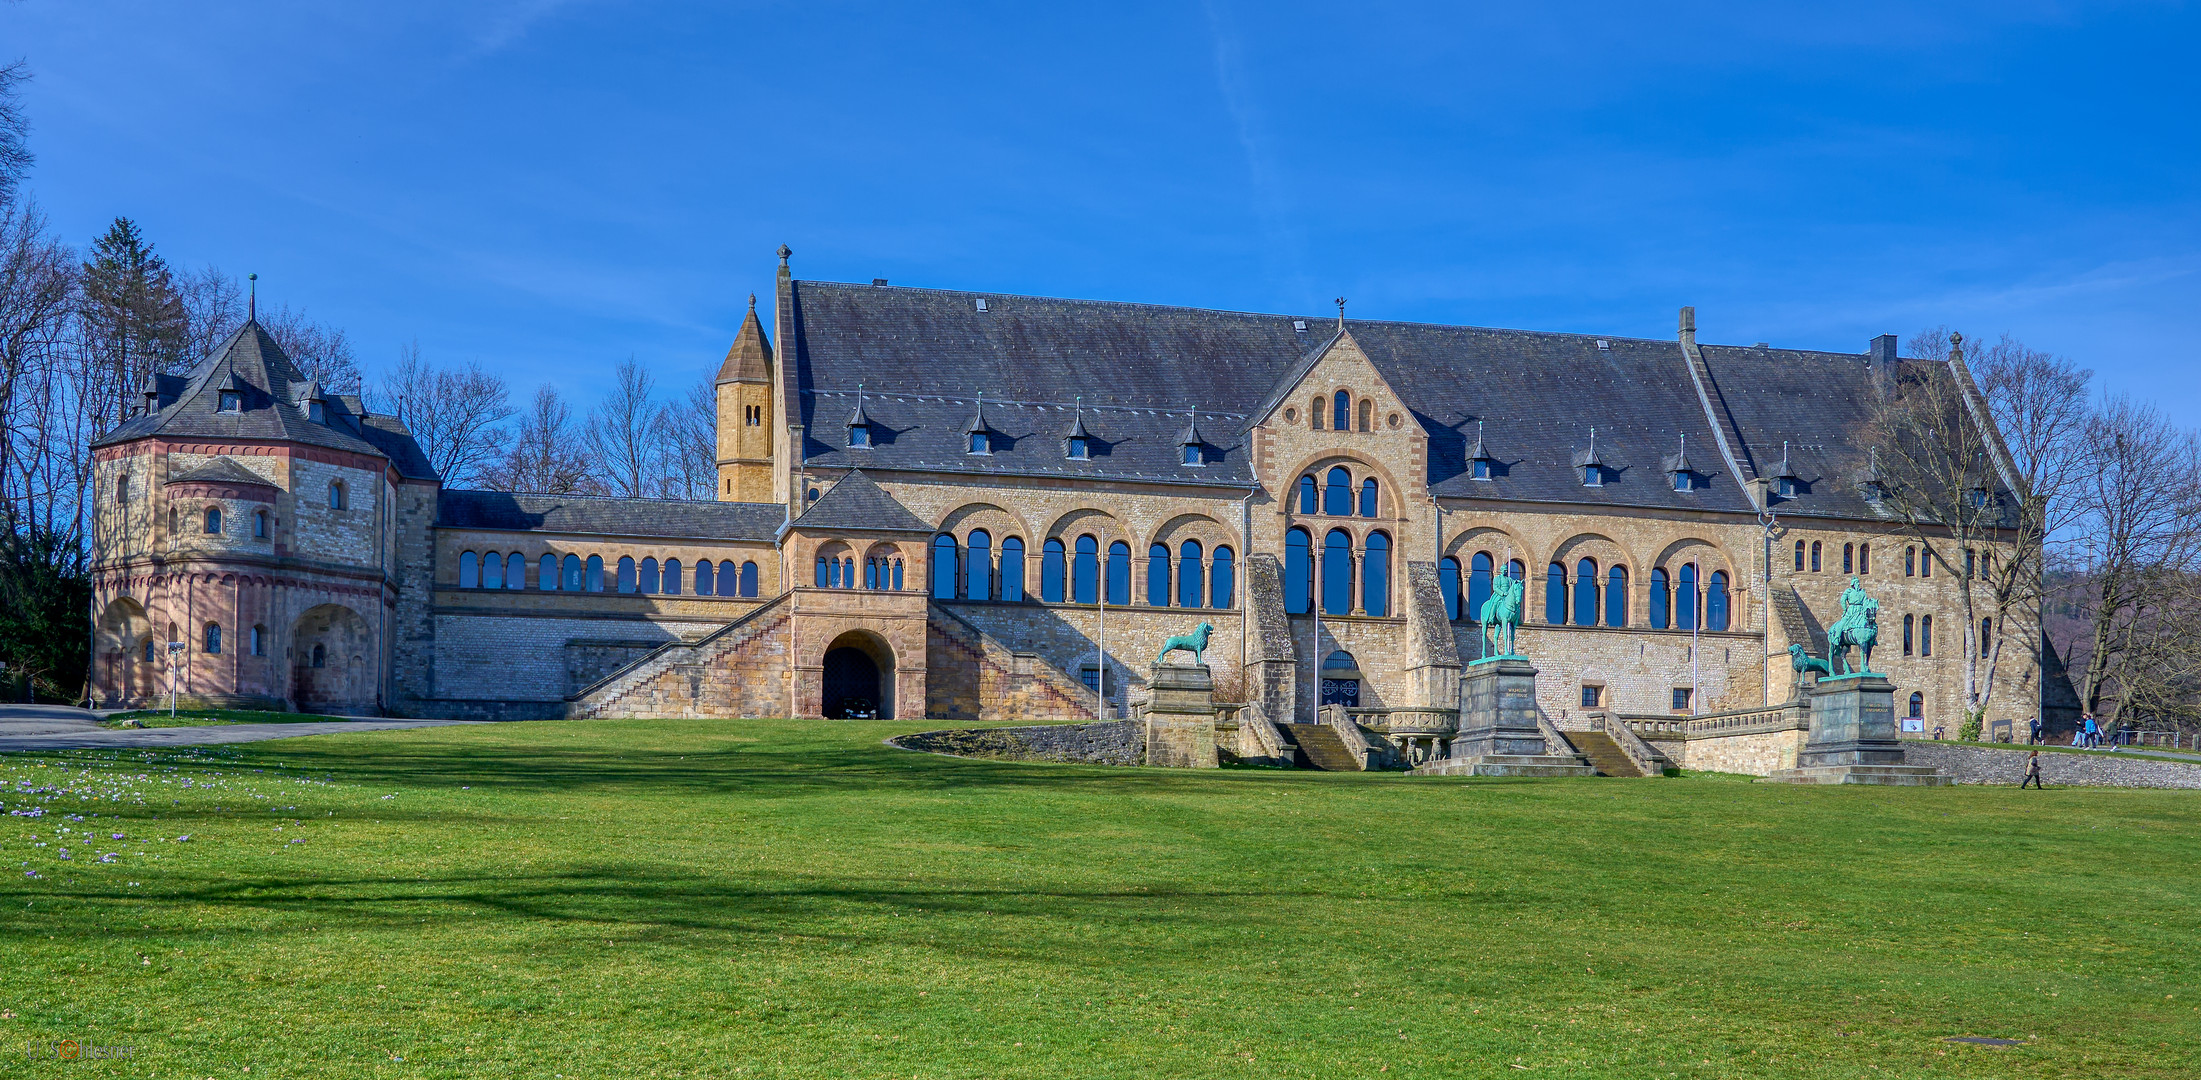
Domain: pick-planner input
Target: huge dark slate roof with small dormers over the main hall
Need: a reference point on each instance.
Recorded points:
(926, 357)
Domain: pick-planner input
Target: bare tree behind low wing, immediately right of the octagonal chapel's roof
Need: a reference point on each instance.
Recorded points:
(452, 415)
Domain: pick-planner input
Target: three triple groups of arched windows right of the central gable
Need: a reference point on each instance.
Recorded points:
(1592, 597)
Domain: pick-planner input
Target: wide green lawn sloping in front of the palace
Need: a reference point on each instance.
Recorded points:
(798, 901)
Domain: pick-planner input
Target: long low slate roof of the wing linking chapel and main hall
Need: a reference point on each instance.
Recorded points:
(609, 518)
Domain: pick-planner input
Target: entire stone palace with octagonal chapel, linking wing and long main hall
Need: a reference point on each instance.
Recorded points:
(987, 507)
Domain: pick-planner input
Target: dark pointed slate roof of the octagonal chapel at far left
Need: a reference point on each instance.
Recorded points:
(270, 390)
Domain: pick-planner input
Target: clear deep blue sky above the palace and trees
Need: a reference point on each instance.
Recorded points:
(554, 186)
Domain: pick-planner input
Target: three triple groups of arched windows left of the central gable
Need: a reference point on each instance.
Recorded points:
(1187, 577)
